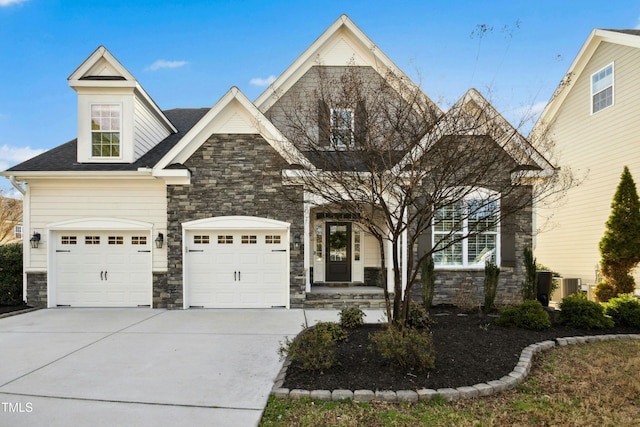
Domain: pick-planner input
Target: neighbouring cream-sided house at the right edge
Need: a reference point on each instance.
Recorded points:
(591, 119)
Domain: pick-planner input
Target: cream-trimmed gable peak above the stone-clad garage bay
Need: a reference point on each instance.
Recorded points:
(233, 113)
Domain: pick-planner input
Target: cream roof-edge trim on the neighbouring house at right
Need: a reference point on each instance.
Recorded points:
(630, 38)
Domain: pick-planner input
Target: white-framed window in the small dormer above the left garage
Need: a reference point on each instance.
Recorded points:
(105, 130)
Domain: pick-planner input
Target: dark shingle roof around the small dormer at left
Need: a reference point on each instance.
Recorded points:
(64, 157)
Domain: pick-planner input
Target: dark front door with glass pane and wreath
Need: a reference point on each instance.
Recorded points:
(338, 264)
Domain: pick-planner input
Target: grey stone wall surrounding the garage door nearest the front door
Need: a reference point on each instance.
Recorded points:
(233, 175)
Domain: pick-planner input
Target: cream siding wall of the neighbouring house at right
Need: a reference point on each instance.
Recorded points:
(597, 146)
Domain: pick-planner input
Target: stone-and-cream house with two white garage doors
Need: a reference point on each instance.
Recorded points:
(201, 207)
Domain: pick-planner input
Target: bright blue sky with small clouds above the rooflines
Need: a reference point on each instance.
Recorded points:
(189, 54)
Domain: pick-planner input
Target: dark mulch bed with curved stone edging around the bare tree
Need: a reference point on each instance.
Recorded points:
(469, 349)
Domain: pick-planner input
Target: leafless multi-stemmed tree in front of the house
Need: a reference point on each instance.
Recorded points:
(387, 156)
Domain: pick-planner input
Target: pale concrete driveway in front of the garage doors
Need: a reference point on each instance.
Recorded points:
(141, 367)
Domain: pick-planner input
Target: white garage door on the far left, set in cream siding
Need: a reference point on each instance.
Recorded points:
(103, 269)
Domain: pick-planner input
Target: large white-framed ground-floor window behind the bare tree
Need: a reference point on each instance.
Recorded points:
(477, 219)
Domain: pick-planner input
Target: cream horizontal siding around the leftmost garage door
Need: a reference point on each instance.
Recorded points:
(55, 200)
